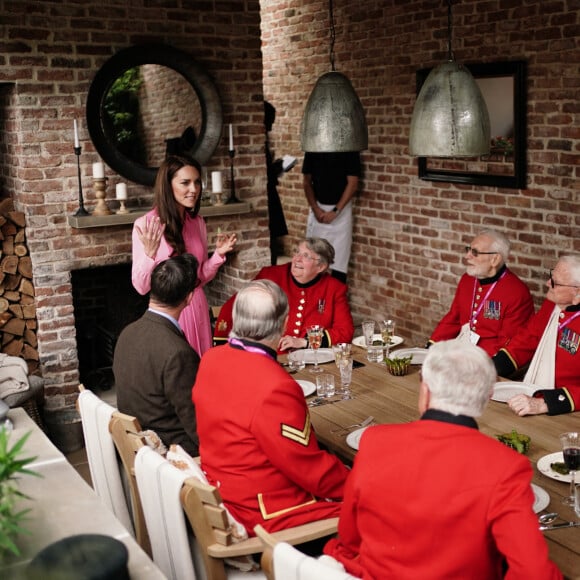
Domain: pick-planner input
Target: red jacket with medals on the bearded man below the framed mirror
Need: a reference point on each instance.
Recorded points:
(500, 314)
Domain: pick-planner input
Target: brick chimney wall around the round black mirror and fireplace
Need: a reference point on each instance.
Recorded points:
(49, 53)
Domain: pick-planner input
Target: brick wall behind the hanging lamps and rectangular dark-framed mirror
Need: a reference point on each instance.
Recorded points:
(409, 233)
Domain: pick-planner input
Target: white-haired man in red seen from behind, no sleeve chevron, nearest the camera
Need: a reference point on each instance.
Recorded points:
(435, 498)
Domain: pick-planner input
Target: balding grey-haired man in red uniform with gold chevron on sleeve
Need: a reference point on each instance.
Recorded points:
(255, 437)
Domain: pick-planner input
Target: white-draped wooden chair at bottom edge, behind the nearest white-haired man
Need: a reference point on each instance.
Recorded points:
(296, 565)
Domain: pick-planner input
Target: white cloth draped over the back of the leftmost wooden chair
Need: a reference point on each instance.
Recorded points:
(104, 464)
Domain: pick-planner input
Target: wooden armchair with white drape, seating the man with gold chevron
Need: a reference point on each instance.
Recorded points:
(171, 496)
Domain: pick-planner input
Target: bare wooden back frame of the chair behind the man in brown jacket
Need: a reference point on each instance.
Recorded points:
(125, 431)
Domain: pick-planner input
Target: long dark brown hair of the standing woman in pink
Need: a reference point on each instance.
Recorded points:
(165, 203)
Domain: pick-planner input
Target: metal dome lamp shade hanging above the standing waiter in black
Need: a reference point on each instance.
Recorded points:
(334, 119)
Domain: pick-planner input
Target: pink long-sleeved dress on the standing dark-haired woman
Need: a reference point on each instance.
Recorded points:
(194, 319)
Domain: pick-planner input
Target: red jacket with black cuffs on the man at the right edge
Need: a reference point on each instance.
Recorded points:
(521, 349)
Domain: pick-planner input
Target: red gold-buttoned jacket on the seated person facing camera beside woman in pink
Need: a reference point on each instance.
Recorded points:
(322, 301)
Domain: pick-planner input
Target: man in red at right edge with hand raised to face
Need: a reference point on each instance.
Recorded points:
(551, 340)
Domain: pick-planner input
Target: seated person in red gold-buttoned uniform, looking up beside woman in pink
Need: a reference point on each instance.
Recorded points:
(314, 297)
